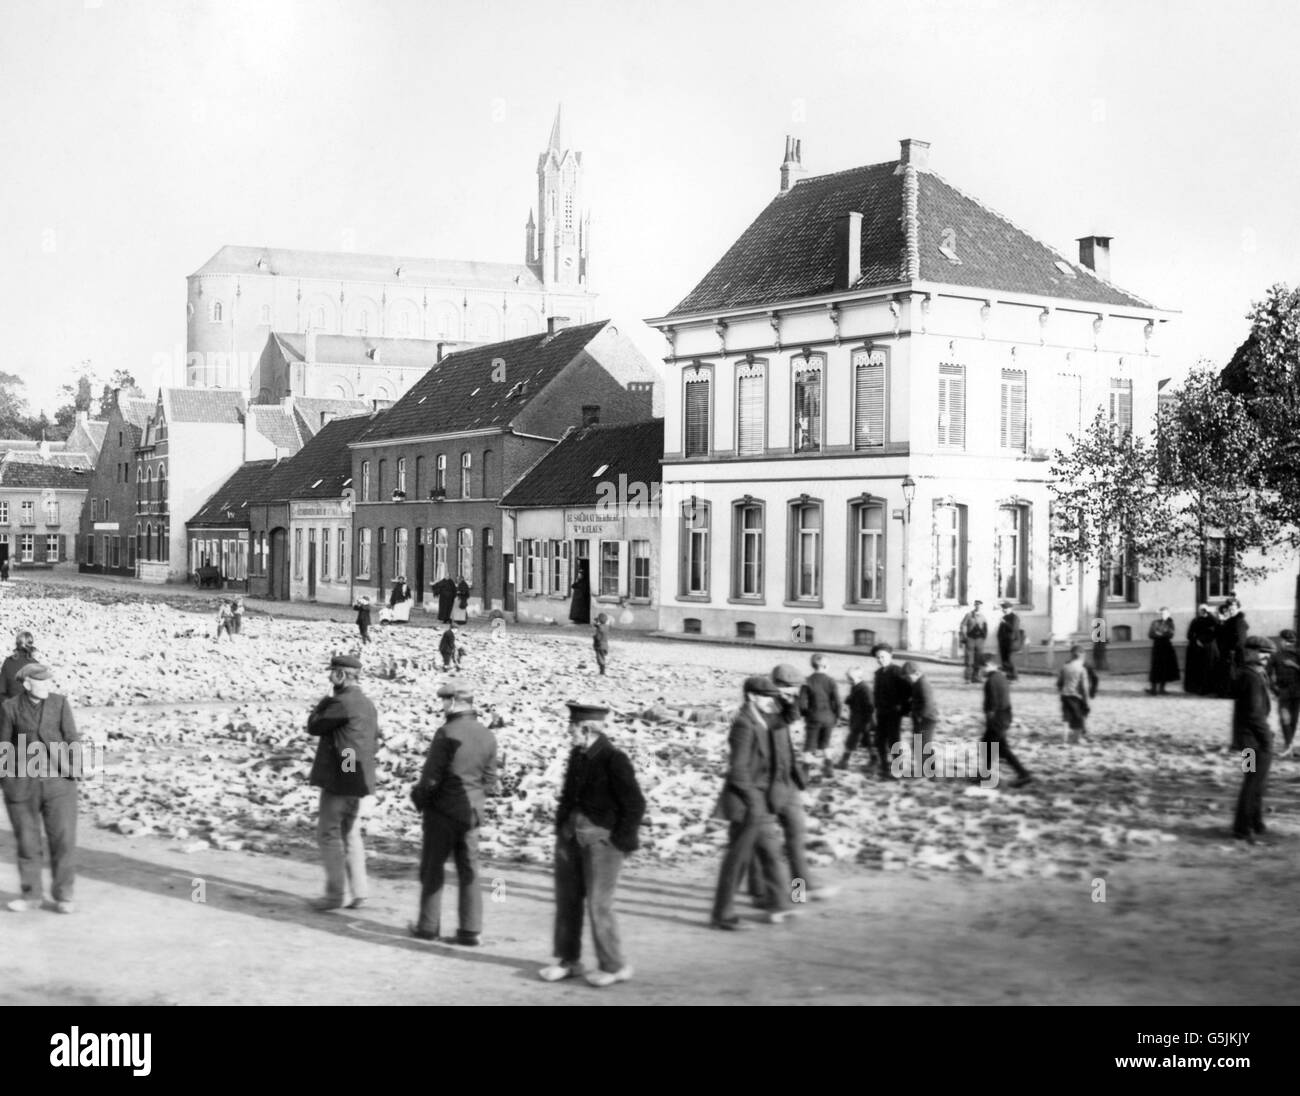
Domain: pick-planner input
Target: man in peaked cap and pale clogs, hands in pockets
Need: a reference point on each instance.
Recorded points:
(596, 825)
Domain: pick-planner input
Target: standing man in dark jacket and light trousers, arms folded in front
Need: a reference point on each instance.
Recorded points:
(348, 729)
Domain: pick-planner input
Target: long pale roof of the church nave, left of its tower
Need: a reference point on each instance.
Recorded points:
(337, 266)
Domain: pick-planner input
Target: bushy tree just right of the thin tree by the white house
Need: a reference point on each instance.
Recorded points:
(1214, 458)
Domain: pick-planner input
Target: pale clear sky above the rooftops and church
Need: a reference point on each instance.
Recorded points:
(141, 136)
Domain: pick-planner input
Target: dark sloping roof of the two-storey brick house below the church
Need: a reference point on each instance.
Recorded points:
(460, 393)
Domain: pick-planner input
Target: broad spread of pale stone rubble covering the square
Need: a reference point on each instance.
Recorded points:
(206, 744)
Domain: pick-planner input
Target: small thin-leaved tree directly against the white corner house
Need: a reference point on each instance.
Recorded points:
(1110, 513)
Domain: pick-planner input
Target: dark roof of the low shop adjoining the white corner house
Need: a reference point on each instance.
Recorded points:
(571, 474)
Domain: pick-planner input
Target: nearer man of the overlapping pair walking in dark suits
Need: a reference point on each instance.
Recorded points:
(747, 804)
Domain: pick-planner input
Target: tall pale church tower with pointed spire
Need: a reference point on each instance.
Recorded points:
(558, 244)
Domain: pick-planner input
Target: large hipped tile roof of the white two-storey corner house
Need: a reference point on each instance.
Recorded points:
(790, 252)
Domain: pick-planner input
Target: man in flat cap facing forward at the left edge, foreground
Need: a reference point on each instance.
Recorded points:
(41, 791)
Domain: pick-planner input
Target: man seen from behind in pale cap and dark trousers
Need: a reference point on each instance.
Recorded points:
(460, 772)
